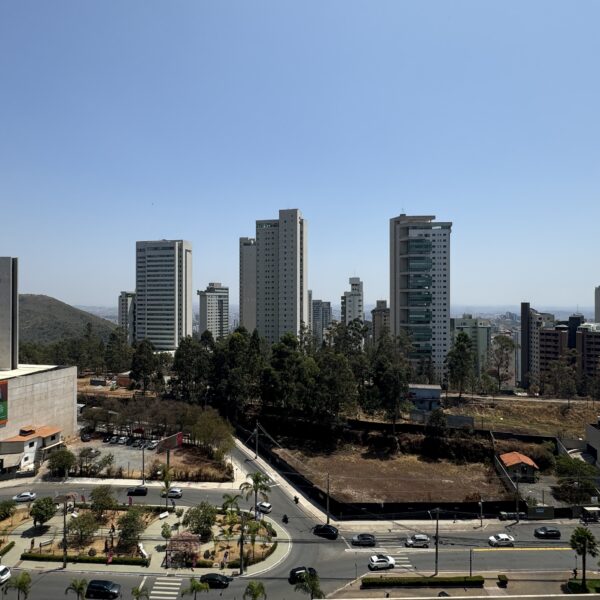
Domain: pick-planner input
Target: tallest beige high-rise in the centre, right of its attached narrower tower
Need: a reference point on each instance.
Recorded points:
(281, 275)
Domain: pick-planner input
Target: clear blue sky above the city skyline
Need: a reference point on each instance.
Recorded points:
(124, 121)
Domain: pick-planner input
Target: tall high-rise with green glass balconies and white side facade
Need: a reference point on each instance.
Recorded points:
(420, 286)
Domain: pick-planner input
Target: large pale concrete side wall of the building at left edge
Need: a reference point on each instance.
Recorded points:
(44, 398)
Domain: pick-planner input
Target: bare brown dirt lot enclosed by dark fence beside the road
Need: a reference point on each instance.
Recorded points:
(402, 478)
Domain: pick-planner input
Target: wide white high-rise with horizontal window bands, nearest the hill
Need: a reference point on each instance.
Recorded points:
(163, 281)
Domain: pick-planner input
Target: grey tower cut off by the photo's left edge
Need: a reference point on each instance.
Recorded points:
(9, 313)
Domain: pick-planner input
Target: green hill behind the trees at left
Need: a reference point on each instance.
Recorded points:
(45, 319)
